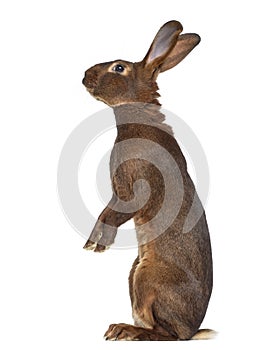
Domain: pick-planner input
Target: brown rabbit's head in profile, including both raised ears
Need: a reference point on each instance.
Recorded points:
(121, 82)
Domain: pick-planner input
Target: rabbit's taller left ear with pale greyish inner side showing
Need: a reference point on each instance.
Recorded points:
(163, 43)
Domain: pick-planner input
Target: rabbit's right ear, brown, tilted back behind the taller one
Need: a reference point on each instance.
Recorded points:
(185, 44)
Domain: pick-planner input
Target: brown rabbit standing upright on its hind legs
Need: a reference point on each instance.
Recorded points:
(171, 280)
